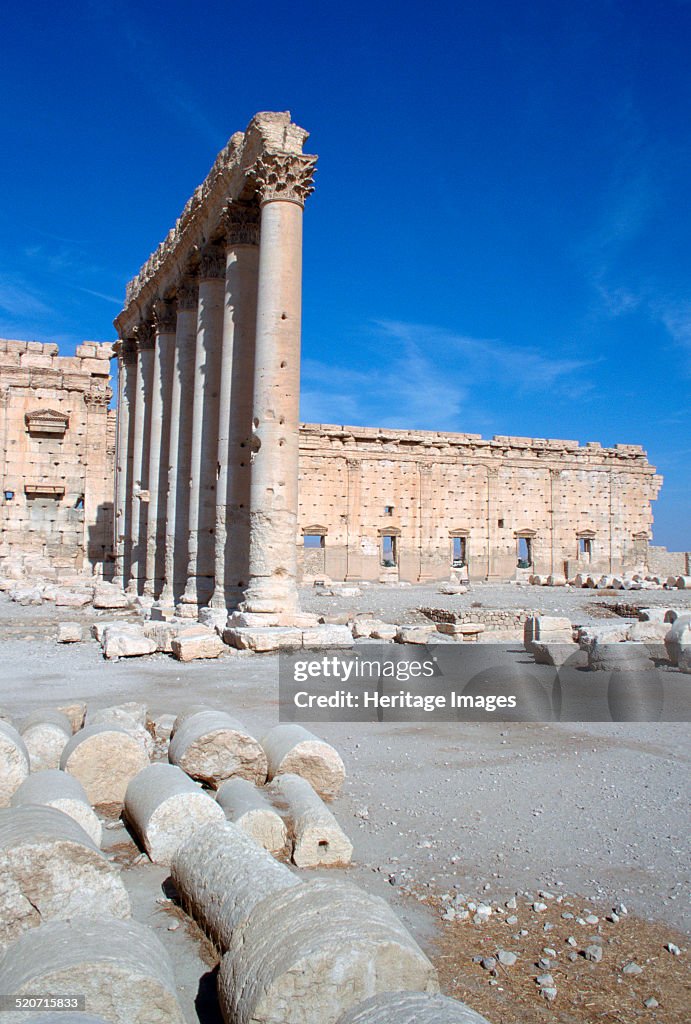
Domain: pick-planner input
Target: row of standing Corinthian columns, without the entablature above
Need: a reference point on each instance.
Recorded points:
(207, 444)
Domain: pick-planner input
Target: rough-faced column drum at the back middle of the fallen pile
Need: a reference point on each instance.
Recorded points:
(211, 746)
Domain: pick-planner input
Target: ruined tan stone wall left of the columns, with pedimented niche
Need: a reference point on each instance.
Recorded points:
(57, 445)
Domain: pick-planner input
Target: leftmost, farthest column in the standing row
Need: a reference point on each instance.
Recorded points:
(123, 484)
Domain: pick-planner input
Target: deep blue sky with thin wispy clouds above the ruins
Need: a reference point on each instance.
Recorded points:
(499, 242)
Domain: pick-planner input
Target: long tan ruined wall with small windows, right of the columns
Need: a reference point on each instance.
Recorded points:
(577, 507)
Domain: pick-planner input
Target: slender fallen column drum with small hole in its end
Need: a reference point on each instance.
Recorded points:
(318, 839)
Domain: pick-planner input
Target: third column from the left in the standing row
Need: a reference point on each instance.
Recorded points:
(164, 354)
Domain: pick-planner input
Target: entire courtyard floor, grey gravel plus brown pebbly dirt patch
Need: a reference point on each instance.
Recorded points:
(595, 816)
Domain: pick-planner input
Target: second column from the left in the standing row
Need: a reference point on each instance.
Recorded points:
(145, 346)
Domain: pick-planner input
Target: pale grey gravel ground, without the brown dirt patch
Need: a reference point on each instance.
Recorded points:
(601, 810)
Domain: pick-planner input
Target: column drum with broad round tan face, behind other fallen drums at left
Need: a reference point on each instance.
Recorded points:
(105, 759)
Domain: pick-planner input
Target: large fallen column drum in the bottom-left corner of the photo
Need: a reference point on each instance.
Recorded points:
(121, 968)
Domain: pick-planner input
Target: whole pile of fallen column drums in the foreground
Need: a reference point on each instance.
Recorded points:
(225, 813)
